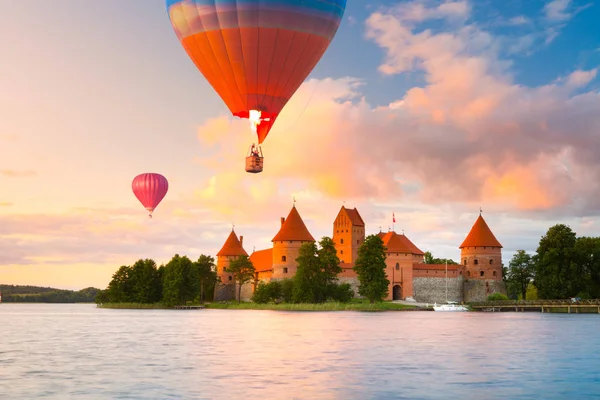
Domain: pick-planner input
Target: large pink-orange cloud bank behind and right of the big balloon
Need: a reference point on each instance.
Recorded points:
(469, 135)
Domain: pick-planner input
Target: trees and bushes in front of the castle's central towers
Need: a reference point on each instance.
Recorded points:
(316, 279)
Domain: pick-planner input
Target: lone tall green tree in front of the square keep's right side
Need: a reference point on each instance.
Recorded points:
(370, 268)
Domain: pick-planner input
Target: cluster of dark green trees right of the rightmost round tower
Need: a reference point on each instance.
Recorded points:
(562, 267)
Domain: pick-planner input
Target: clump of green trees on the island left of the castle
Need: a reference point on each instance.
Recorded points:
(179, 281)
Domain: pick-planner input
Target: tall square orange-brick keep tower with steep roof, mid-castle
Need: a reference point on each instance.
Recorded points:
(348, 234)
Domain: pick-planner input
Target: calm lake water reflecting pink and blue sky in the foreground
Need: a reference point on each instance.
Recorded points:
(82, 352)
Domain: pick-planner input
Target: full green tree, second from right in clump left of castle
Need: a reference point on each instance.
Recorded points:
(181, 281)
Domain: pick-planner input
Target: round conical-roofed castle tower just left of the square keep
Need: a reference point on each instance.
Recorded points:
(286, 245)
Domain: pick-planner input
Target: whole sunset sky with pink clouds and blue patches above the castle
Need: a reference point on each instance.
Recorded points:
(423, 109)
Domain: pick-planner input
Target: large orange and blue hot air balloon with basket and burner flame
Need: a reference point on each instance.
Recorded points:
(256, 53)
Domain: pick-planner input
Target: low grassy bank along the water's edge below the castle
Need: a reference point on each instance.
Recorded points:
(329, 306)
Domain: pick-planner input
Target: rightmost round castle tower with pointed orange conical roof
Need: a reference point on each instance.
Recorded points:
(481, 258)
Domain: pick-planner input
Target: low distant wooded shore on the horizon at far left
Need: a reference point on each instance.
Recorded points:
(36, 294)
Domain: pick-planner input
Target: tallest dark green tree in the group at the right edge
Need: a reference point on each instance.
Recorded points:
(555, 269)
